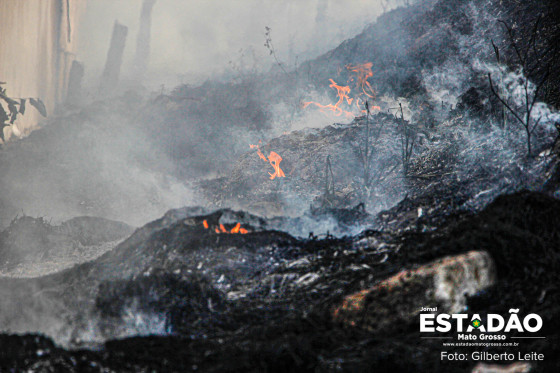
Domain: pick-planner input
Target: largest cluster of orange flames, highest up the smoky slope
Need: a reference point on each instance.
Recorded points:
(361, 74)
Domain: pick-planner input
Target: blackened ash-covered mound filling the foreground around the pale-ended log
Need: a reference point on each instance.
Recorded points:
(278, 313)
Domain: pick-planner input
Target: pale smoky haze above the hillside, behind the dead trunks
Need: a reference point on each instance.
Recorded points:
(195, 40)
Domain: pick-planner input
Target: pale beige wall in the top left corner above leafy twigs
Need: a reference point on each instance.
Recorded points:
(38, 40)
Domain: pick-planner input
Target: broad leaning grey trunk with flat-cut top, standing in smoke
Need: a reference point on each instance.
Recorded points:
(110, 76)
